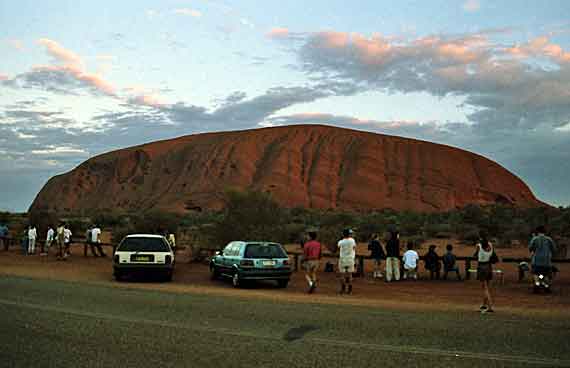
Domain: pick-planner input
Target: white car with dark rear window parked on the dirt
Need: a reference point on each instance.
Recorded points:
(143, 254)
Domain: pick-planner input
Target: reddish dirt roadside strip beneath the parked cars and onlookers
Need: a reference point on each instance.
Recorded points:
(510, 297)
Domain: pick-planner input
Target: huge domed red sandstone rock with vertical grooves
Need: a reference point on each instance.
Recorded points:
(304, 165)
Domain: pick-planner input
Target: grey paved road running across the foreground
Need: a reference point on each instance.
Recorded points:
(64, 324)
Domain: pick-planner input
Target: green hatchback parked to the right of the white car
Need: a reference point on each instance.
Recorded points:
(249, 261)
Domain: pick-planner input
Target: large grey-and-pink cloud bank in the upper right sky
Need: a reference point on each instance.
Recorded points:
(518, 86)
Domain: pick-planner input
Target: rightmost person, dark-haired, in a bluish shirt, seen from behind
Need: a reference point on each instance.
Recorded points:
(542, 248)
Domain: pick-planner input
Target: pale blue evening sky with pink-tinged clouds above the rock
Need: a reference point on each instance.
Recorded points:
(80, 78)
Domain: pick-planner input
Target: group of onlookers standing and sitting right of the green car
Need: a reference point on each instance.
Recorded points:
(541, 248)
